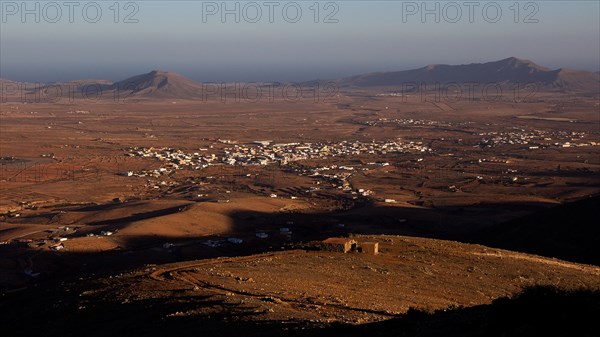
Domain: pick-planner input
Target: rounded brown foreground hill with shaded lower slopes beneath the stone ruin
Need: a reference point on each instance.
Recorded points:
(309, 293)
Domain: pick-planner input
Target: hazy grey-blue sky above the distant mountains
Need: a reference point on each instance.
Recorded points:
(214, 41)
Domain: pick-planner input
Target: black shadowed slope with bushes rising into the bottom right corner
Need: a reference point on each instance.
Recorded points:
(537, 311)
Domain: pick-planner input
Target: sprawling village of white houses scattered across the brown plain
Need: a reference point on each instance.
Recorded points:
(310, 159)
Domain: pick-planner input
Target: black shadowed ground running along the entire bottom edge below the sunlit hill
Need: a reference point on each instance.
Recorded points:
(537, 311)
